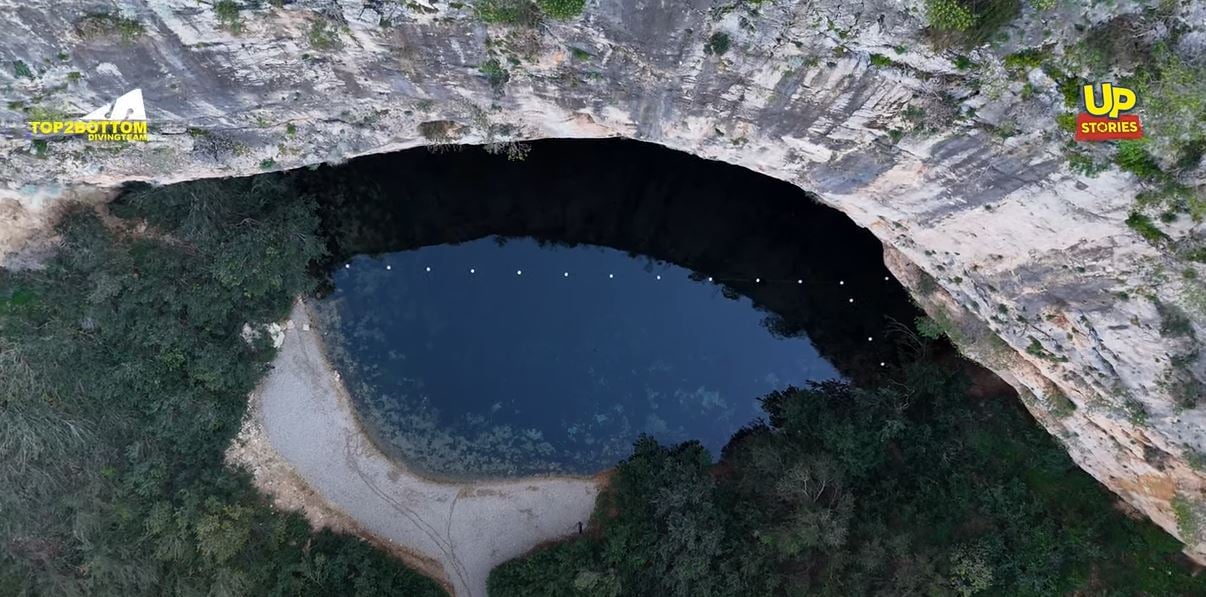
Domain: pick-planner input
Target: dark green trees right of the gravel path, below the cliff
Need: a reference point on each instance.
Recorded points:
(912, 489)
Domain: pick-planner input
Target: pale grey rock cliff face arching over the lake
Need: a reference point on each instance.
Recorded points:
(961, 173)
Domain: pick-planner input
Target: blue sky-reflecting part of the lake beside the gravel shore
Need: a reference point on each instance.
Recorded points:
(508, 358)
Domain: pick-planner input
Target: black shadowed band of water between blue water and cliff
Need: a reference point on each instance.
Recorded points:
(756, 237)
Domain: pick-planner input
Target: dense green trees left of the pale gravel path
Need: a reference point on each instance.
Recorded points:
(124, 378)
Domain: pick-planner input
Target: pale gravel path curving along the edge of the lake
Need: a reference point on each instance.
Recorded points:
(305, 447)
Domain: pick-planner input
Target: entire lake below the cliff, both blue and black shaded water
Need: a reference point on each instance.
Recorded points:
(501, 319)
